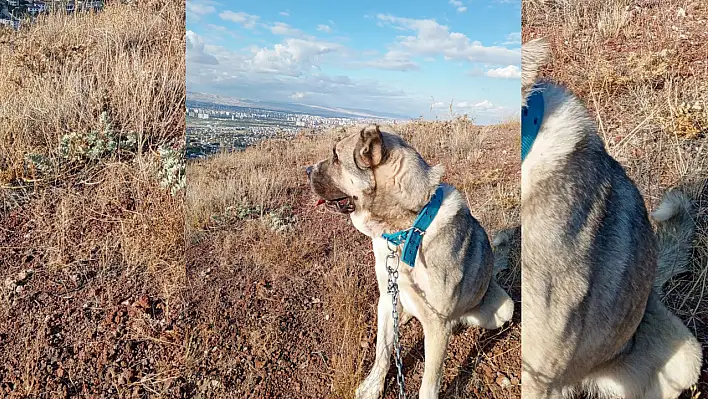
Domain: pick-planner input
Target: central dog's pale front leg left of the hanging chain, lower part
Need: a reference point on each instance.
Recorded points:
(373, 385)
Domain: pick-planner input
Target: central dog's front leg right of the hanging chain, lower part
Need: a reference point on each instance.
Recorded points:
(437, 335)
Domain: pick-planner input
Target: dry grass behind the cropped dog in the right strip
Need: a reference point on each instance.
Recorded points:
(641, 69)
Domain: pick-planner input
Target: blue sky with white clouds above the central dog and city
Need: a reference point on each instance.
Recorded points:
(404, 57)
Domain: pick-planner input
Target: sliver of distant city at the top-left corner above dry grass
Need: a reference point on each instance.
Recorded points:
(14, 13)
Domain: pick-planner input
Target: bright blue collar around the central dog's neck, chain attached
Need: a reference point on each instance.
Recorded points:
(413, 236)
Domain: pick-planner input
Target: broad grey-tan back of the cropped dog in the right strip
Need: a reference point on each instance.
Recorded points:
(588, 250)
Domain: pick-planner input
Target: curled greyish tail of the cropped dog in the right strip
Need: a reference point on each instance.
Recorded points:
(676, 227)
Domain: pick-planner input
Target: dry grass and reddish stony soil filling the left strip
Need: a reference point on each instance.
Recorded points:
(88, 101)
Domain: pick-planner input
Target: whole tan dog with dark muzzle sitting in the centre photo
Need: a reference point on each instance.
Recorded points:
(382, 183)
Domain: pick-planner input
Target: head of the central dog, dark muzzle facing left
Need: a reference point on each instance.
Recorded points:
(376, 171)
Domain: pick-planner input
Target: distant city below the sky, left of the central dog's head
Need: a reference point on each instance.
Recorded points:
(213, 128)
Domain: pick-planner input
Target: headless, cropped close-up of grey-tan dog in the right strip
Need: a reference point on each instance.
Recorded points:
(592, 322)
